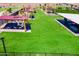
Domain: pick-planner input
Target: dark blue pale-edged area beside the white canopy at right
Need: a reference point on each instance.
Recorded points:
(71, 26)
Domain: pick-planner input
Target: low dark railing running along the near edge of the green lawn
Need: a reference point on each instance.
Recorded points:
(37, 54)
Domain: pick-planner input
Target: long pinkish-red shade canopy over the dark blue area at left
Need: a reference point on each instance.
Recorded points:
(13, 17)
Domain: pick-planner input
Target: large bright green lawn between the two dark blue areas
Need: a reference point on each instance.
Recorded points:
(46, 36)
